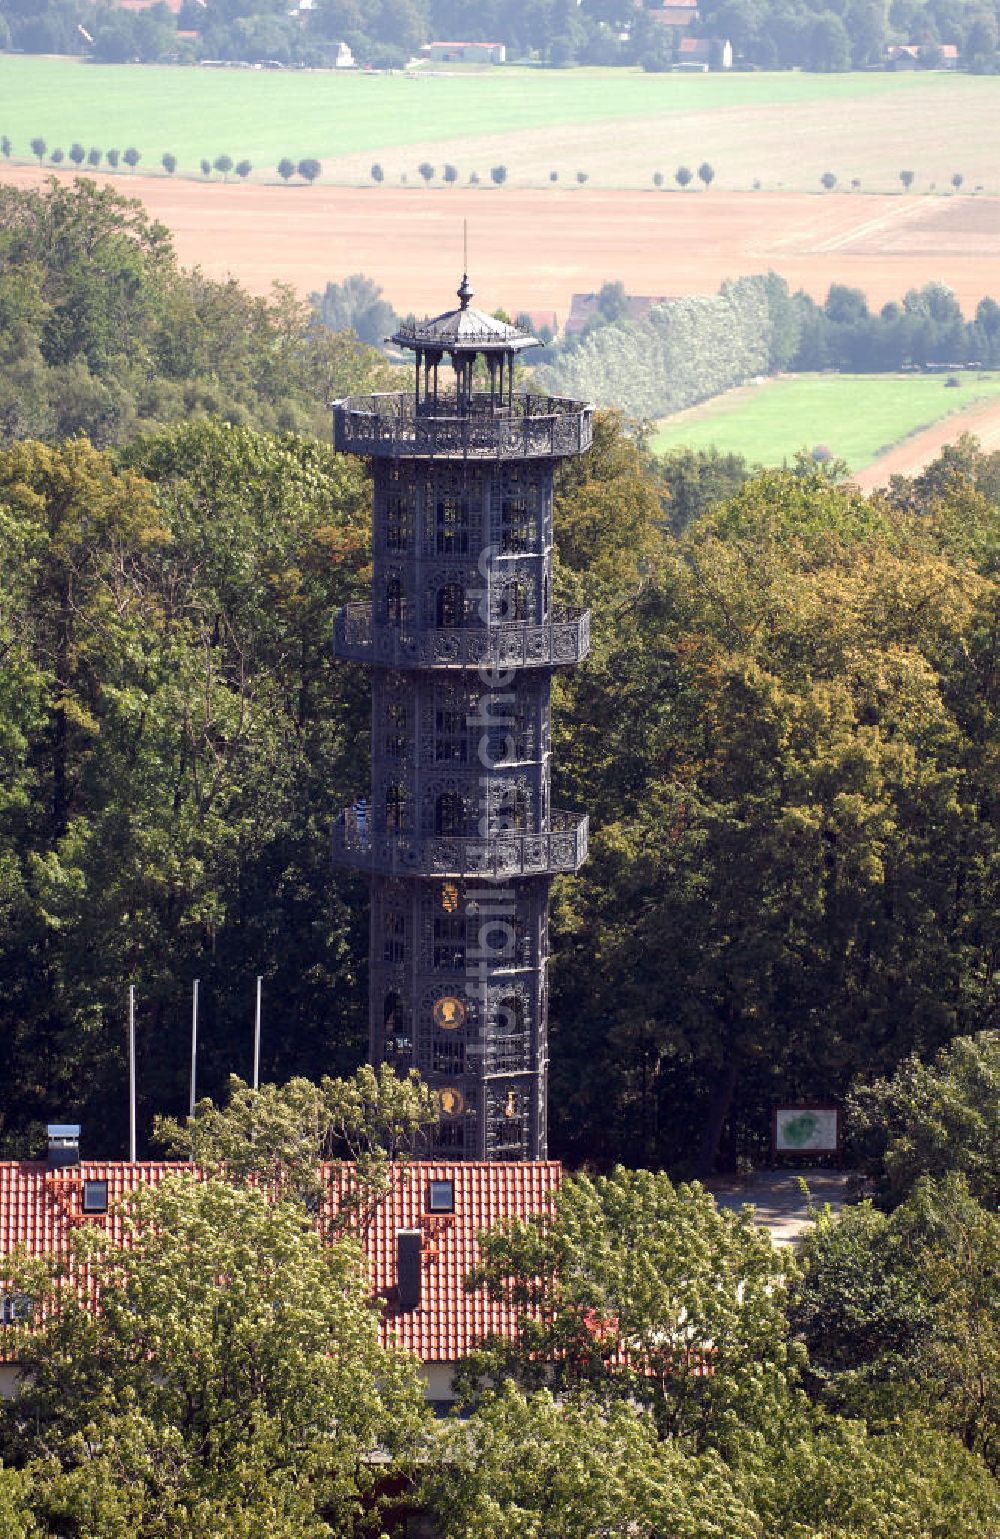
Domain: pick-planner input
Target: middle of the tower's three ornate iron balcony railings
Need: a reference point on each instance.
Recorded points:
(562, 643)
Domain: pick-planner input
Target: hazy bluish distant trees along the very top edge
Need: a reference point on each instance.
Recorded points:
(770, 35)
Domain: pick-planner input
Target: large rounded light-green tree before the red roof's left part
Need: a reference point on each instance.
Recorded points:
(232, 1340)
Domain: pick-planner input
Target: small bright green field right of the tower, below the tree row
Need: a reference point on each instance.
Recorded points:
(856, 416)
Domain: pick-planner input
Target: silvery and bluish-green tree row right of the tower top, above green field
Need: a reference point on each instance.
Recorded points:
(696, 347)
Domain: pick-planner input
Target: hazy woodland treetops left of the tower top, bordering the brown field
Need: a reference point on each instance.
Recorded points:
(150, 342)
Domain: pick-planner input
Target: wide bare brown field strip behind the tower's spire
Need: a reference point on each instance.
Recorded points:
(533, 250)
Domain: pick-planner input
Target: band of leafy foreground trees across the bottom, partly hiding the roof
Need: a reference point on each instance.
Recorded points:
(670, 1370)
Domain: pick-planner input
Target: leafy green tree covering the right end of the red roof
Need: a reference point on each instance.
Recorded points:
(627, 1290)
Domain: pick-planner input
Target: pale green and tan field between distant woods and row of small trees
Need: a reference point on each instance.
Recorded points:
(616, 125)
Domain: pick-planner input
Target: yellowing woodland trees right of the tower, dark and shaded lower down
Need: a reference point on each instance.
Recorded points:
(688, 1033)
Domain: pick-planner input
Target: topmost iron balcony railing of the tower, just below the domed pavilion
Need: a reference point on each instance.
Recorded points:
(528, 427)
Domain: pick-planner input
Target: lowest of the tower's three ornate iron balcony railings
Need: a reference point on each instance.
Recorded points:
(562, 847)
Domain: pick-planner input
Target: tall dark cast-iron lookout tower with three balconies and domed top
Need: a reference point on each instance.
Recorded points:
(458, 835)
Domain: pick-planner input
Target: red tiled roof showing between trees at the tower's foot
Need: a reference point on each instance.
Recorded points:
(41, 1207)
